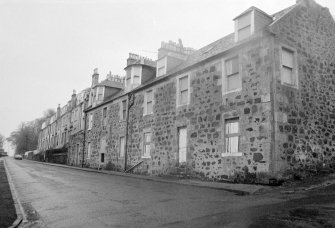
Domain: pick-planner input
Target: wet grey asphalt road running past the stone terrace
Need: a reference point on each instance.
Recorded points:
(61, 197)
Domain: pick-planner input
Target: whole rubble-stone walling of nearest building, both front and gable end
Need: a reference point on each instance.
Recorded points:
(280, 127)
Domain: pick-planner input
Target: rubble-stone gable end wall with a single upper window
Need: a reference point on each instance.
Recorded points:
(305, 116)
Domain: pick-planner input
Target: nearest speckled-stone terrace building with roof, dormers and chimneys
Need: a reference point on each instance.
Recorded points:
(255, 104)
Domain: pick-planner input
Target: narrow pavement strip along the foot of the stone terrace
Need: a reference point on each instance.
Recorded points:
(242, 189)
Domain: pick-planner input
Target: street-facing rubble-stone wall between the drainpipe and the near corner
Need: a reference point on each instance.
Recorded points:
(204, 118)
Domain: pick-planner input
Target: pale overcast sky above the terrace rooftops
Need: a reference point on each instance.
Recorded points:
(50, 47)
